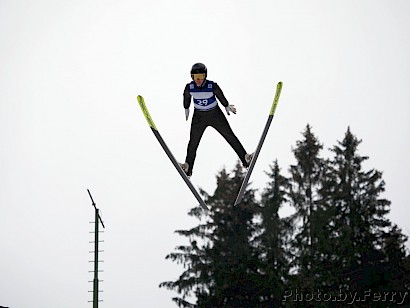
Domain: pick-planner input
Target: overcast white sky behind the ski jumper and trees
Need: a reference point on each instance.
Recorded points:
(69, 120)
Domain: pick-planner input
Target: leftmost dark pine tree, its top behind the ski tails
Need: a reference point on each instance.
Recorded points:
(220, 261)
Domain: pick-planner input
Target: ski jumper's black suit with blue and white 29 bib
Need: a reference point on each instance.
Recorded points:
(207, 113)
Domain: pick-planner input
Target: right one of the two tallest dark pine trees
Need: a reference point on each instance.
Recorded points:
(360, 221)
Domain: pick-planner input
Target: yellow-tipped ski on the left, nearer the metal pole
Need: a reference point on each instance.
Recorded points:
(168, 152)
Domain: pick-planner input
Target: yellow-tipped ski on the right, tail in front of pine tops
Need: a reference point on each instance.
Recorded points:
(259, 147)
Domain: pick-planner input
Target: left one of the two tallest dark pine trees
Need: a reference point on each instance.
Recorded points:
(306, 177)
